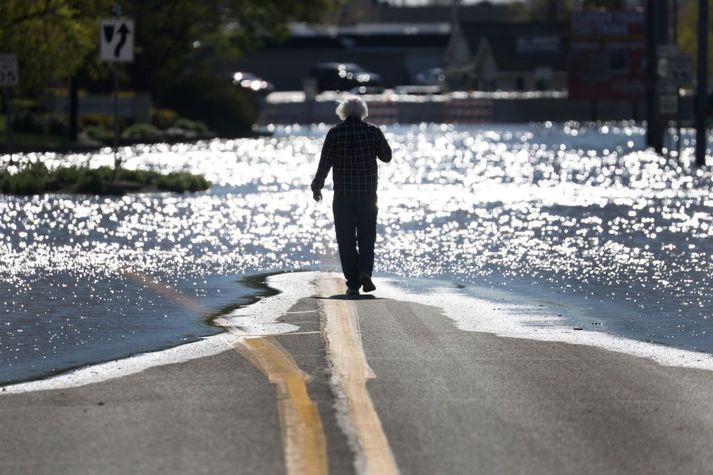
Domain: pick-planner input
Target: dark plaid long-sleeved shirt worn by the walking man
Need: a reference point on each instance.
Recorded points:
(351, 149)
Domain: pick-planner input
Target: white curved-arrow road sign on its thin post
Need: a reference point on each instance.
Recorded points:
(116, 39)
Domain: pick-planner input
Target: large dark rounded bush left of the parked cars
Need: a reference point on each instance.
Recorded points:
(212, 100)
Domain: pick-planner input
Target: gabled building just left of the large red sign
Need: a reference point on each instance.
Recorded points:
(507, 56)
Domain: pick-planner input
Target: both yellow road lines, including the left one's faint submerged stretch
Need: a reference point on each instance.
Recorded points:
(304, 441)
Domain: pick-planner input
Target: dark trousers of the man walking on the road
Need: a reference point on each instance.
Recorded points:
(355, 223)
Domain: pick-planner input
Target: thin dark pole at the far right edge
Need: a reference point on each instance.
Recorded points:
(702, 83)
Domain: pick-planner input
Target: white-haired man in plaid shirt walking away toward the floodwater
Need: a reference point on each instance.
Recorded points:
(351, 149)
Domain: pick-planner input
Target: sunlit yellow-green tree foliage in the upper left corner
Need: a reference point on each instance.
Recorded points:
(52, 38)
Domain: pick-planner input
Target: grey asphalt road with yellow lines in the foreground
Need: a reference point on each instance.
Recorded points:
(372, 386)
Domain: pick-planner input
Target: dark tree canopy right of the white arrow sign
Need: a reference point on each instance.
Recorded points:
(175, 36)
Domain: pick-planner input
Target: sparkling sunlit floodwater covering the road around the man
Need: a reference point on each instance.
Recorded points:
(577, 214)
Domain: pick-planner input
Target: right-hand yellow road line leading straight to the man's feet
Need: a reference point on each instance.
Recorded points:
(350, 372)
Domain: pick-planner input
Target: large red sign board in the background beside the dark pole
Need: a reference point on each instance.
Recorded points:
(607, 55)
